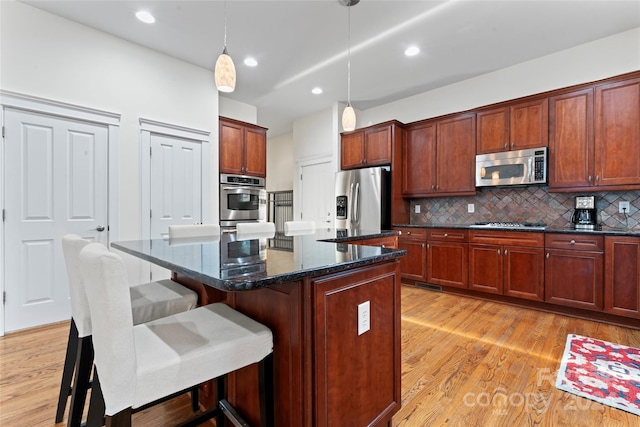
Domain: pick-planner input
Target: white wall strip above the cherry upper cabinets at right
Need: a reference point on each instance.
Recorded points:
(610, 56)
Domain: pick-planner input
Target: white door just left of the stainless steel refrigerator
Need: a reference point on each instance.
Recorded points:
(317, 193)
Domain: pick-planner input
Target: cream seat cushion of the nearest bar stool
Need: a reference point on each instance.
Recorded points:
(186, 349)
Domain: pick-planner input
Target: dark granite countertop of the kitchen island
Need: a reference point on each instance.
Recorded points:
(230, 264)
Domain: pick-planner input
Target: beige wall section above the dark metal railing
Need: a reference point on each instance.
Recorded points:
(280, 163)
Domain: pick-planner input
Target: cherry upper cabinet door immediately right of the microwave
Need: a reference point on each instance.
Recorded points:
(571, 149)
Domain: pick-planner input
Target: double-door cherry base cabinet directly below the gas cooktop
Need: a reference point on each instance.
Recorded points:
(507, 263)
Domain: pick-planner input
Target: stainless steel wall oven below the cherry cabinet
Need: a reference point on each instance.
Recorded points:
(242, 199)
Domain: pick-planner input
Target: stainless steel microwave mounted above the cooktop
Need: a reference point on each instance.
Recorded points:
(516, 167)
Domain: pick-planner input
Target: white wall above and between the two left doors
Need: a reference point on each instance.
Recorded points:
(50, 57)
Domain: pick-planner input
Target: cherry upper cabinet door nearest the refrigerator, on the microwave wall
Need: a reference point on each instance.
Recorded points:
(419, 160)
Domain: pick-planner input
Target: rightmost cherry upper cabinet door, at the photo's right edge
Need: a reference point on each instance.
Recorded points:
(617, 133)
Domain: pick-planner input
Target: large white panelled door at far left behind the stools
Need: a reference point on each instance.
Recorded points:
(55, 183)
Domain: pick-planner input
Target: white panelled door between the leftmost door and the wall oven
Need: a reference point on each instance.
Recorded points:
(175, 182)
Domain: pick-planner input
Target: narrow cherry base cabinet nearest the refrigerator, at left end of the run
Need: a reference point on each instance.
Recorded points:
(413, 266)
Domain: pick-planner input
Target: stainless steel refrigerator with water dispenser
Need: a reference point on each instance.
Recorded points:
(363, 199)
